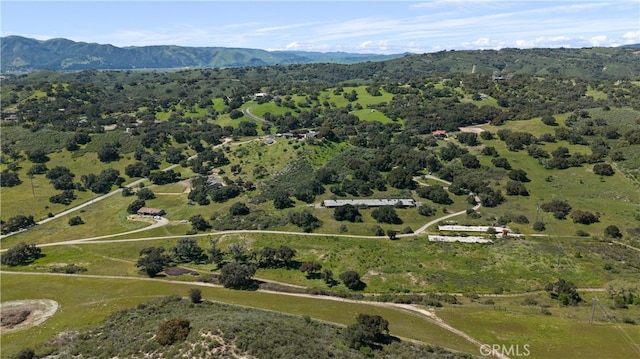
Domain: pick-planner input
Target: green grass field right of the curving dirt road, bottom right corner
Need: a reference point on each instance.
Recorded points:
(565, 333)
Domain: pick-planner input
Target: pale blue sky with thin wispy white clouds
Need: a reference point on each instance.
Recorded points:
(352, 26)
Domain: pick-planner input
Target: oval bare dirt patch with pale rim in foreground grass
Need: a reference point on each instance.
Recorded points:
(23, 314)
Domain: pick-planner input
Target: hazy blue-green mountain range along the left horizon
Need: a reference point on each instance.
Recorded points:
(19, 54)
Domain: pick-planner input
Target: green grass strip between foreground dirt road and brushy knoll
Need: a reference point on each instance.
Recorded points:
(102, 296)
